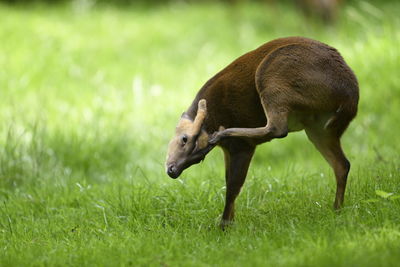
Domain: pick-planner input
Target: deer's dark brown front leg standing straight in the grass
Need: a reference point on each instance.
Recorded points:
(237, 161)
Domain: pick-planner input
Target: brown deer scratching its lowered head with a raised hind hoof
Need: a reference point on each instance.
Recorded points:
(285, 85)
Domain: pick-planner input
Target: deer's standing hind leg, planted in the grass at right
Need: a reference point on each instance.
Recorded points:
(328, 144)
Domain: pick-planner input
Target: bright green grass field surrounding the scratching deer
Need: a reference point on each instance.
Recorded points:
(91, 96)
